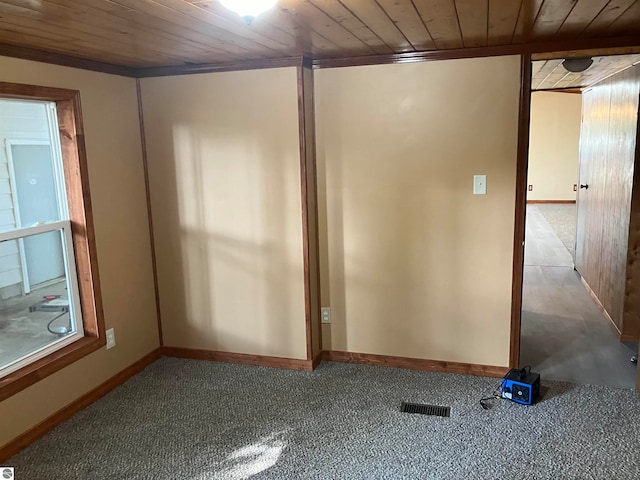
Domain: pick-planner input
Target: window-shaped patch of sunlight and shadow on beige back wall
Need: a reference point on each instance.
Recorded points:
(229, 278)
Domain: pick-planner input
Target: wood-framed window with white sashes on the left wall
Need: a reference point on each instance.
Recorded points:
(50, 307)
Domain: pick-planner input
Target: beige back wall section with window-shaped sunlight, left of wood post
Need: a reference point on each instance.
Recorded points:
(224, 165)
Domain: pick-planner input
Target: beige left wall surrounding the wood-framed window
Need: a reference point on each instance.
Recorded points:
(122, 236)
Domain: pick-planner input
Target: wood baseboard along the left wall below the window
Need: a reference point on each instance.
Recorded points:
(10, 449)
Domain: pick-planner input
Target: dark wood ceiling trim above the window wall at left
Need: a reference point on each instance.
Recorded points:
(65, 60)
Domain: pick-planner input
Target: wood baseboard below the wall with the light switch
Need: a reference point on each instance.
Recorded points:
(415, 363)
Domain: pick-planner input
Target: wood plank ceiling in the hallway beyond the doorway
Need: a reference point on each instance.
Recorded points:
(550, 74)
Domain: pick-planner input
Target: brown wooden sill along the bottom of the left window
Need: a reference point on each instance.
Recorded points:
(27, 376)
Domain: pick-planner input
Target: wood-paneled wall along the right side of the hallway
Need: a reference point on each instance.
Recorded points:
(608, 151)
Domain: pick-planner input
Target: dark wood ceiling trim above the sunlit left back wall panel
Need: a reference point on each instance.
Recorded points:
(219, 67)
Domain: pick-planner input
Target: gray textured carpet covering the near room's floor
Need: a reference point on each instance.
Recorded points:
(197, 420)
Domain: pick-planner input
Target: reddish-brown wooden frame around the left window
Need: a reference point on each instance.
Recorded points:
(74, 161)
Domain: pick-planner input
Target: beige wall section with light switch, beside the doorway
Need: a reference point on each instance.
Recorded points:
(413, 264)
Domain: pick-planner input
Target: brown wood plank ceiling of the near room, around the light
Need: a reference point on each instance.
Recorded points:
(151, 33)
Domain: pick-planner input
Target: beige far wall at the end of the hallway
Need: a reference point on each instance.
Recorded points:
(554, 145)
